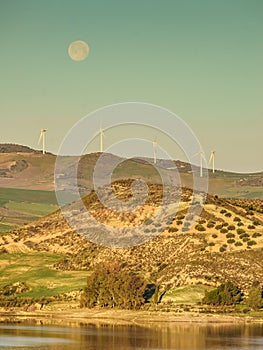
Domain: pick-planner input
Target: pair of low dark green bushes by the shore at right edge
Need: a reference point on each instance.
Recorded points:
(229, 294)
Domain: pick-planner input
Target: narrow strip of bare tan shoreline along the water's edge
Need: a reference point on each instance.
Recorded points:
(120, 317)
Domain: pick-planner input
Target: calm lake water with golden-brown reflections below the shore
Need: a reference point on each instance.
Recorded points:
(173, 336)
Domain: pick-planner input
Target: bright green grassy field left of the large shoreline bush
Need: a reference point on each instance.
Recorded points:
(36, 270)
